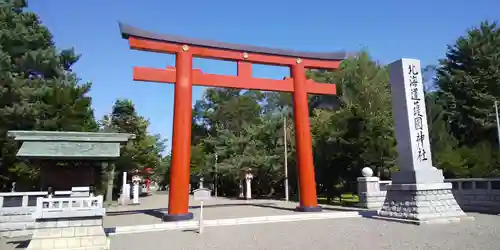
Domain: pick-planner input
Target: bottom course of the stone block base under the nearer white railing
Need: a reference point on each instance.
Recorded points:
(86, 242)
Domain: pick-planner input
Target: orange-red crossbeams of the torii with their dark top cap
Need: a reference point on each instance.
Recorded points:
(243, 55)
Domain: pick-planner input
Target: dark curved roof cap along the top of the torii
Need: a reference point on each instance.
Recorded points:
(128, 31)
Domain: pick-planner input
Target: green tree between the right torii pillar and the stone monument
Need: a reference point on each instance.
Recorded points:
(358, 131)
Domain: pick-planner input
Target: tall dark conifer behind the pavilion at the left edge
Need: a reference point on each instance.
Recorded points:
(38, 89)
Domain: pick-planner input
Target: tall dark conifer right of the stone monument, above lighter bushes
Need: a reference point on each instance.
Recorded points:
(469, 83)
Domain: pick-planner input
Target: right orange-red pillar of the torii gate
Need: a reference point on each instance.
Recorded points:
(305, 166)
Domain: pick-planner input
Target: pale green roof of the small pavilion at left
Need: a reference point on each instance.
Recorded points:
(69, 145)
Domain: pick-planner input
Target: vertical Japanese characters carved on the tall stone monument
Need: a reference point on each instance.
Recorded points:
(413, 73)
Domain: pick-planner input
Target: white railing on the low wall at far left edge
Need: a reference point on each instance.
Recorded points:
(22, 202)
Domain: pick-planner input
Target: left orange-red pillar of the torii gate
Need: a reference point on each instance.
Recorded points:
(178, 202)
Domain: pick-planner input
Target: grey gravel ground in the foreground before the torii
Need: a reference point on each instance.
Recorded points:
(349, 234)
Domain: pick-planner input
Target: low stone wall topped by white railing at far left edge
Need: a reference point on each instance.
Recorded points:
(16, 209)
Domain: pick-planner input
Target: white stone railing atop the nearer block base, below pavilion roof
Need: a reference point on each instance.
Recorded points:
(69, 207)
